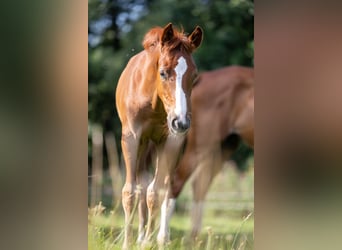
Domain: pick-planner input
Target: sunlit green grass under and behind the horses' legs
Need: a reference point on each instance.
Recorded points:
(228, 221)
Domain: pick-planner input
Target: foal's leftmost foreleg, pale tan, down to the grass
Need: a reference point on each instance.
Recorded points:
(129, 149)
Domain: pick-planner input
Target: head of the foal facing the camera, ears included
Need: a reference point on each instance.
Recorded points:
(177, 72)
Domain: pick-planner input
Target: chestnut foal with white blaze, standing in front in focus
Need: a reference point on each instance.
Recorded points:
(153, 103)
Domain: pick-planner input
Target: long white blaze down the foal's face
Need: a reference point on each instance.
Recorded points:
(181, 108)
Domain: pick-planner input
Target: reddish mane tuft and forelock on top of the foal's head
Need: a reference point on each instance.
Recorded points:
(179, 41)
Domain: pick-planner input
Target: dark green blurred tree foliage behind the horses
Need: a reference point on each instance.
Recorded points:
(117, 27)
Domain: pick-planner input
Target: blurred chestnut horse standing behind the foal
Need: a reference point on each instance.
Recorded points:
(222, 114)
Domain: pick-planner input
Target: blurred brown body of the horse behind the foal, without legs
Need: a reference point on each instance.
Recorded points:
(223, 100)
